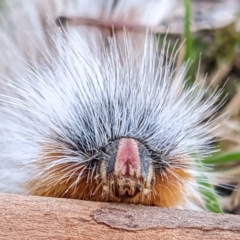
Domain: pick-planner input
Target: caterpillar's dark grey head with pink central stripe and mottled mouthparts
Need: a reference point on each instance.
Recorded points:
(127, 163)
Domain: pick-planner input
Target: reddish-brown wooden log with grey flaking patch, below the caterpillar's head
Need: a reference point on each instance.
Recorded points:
(28, 217)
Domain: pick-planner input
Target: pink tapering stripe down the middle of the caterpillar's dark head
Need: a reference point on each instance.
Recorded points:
(127, 160)
